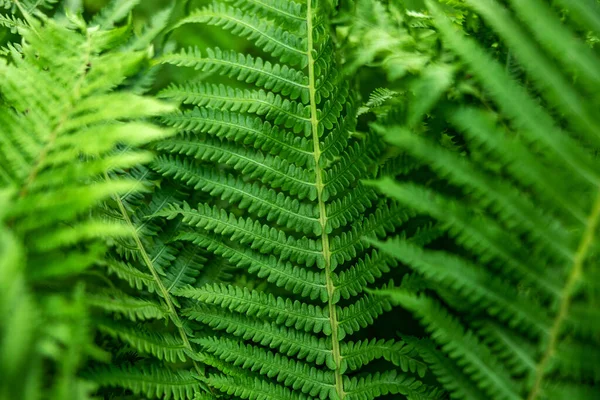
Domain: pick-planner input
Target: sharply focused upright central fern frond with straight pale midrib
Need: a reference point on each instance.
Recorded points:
(276, 152)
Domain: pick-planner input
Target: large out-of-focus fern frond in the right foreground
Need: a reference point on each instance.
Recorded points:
(513, 312)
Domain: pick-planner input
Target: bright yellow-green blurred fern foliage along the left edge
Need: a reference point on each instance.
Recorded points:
(62, 123)
